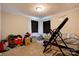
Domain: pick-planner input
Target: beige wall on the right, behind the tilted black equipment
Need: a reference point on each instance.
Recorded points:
(72, 26)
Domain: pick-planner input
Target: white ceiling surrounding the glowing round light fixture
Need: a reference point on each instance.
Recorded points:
(30, 8)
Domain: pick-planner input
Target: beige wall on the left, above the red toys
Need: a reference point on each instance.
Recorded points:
(13, 24)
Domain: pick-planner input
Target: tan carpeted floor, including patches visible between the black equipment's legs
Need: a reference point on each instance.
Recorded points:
(34, 49)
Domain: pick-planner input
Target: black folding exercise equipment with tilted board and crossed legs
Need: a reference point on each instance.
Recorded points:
(53, 40)
